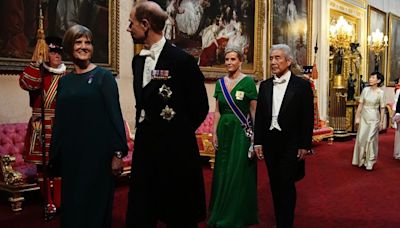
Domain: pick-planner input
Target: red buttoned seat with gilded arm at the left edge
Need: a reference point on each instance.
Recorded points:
(16, 176)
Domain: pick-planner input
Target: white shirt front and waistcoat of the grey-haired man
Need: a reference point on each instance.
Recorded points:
(278, 92)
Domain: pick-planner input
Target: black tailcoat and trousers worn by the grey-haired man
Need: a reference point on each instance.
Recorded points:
(295, 118)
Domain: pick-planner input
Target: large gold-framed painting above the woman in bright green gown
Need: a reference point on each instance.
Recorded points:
(203, 28)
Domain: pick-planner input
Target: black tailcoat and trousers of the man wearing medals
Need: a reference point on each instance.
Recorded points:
(167, 180)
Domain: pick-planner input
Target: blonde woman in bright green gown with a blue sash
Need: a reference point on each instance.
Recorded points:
(234, 189)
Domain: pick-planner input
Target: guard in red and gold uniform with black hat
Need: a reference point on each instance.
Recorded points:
(31, 80)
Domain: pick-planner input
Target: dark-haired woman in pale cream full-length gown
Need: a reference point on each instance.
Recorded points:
(369, 118)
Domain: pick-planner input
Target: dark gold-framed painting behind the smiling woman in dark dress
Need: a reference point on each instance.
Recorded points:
(20, 20)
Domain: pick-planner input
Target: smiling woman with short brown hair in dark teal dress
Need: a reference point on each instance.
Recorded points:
(88, 140)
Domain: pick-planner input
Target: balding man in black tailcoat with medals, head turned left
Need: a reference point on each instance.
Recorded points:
(171, 102)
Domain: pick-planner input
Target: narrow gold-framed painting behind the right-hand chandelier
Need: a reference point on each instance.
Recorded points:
(376, 20)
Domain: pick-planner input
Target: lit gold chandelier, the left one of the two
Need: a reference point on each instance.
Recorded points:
(341, 33)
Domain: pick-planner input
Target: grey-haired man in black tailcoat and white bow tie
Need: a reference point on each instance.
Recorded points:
(283, 131)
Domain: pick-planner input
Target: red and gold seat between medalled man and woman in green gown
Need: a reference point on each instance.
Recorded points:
(204, 138)
